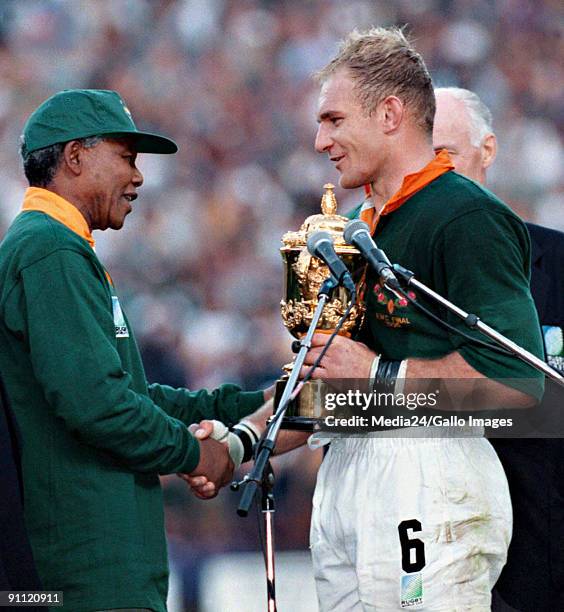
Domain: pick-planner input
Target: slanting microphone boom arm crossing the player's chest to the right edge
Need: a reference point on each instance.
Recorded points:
(473, 322)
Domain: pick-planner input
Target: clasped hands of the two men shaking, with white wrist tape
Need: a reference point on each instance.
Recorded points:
(221, 452)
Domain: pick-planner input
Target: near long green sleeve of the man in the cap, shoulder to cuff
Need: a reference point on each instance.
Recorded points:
(71, 337)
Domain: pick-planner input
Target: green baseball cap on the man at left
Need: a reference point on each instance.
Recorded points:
(79, 113)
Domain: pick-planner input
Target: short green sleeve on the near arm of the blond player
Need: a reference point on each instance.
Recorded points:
(486, 260)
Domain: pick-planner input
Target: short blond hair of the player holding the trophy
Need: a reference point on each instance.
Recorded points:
(383, 62)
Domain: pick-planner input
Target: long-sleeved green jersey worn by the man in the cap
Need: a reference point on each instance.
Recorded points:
(95, 436)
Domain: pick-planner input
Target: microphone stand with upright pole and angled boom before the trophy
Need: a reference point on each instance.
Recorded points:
(262, 474)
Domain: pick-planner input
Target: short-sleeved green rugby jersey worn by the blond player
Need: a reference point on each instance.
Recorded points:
(464, 243)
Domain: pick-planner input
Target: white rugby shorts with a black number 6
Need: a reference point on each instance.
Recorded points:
(409, 523)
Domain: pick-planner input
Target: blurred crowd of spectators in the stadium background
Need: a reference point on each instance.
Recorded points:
(197, 264)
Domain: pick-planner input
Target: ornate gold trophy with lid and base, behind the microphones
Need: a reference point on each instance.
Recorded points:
(304, 275)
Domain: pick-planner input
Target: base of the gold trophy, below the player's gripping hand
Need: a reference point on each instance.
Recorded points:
(307, 410)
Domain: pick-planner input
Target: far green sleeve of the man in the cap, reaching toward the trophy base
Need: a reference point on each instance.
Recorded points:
(227, 403)
